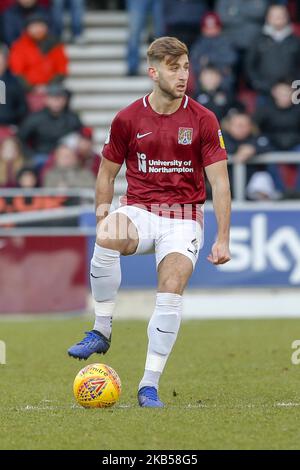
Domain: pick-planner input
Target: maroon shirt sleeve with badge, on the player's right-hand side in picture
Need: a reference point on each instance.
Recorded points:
(212, 142)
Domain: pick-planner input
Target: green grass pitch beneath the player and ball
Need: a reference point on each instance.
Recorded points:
(228, 385)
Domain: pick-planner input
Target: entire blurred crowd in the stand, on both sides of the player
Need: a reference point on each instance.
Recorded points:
(245, 56)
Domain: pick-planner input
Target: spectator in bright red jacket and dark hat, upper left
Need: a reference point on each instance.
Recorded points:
(37, 57)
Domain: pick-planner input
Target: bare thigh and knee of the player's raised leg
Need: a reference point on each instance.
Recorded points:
(118, 232)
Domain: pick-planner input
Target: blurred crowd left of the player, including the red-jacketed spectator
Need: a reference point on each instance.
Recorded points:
(42, 140)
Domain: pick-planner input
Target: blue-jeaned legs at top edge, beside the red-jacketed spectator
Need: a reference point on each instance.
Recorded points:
(77, 8)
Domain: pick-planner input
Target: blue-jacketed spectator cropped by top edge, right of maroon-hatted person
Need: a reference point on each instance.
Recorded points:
(242, 20)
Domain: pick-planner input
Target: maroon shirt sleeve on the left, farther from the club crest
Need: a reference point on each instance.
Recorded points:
(116, 145)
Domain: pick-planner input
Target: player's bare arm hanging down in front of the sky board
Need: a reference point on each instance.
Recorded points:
(217, 175)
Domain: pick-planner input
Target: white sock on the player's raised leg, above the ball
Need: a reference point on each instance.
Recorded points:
(105, 281)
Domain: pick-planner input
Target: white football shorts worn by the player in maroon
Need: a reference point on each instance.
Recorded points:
(162, 235)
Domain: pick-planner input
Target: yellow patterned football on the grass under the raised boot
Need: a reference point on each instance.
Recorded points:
(97, 386)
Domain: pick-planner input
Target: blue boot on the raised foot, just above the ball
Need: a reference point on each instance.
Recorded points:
(93, 342)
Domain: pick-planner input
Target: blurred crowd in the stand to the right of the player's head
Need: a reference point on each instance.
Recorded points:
(245, 56)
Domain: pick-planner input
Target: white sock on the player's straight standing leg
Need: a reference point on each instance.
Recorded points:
(162, 333)
